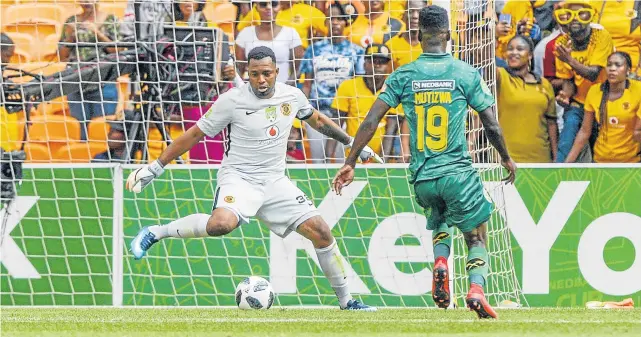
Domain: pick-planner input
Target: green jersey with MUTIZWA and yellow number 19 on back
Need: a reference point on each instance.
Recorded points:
(435, 91)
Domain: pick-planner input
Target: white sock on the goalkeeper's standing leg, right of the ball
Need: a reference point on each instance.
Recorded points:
(331, 262)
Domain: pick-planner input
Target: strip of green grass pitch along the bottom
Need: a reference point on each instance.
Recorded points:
(158, 322)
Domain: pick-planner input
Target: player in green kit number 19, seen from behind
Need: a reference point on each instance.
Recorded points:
(435, 91)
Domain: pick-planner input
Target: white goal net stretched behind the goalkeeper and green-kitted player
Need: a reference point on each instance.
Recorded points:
(65, 237)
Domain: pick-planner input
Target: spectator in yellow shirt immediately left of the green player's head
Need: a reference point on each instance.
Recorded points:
(406, 47)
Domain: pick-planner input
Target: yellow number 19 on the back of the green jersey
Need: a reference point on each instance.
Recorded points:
(434, 121)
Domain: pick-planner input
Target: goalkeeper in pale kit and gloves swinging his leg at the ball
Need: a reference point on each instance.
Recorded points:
(252, 181)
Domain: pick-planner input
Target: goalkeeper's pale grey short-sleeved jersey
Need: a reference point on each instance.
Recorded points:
(258, 129)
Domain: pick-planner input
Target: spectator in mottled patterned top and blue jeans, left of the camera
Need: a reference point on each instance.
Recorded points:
(95, 31)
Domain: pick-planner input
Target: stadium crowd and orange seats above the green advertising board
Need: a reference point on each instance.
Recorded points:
(566, 75)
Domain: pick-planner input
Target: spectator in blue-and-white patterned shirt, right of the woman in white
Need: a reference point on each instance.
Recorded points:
(325, 65)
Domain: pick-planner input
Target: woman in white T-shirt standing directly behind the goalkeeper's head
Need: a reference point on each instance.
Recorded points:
(284, 41)
